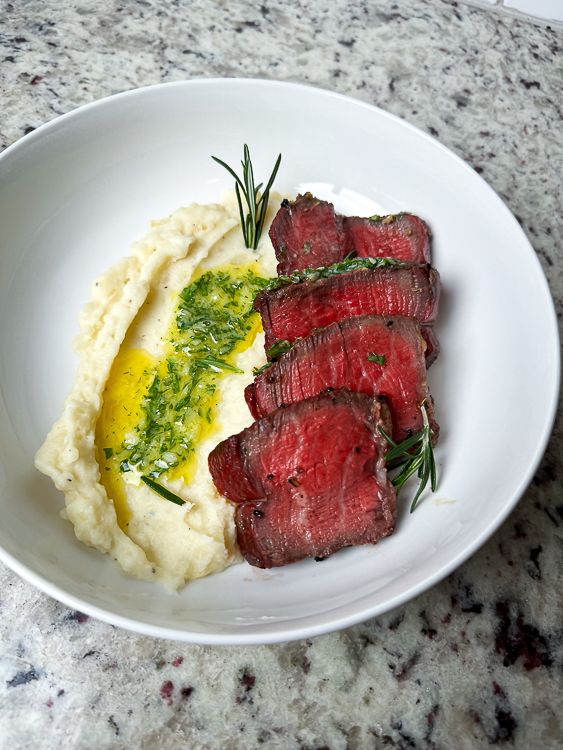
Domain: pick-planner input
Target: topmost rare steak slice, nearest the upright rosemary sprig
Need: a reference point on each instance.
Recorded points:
(307, 232)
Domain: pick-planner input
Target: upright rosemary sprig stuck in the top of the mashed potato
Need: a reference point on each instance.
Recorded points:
(253, 223)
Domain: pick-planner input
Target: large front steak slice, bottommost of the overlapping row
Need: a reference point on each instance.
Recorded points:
(308, 479)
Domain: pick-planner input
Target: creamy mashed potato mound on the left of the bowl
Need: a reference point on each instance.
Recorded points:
(123, 344)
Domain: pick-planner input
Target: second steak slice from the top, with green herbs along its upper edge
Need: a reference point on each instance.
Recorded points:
(292, 311)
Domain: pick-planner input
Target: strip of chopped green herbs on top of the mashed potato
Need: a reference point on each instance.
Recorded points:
(214, 314)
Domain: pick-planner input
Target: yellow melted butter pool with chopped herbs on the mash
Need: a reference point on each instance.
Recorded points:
(155, 414)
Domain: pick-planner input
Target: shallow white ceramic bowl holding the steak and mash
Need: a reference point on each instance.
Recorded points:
(74, 195)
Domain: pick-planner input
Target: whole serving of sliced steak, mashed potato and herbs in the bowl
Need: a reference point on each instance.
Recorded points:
(223, 412)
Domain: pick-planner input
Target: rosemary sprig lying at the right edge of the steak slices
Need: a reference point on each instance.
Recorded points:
(421, 461)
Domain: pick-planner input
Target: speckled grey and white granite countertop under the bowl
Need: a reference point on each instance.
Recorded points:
(477, 660)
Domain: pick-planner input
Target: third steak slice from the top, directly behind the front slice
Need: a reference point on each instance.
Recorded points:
(338, 356)
